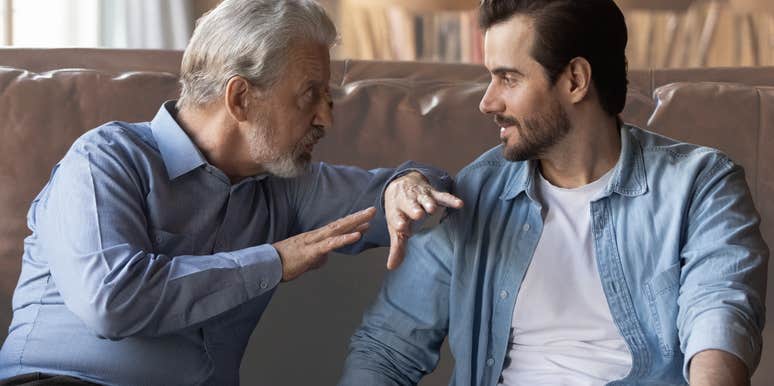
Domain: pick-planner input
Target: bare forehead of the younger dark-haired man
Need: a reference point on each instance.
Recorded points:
(509, 43)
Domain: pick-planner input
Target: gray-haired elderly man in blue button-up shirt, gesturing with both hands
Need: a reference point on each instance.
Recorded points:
(156, 246)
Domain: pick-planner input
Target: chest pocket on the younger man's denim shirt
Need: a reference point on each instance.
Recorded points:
(662, 291)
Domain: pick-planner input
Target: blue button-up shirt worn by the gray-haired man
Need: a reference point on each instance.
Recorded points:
(146, 266)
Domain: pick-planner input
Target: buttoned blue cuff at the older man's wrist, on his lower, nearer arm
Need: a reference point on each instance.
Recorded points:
(261, 268)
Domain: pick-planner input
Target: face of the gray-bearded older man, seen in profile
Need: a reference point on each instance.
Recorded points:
(294, 113)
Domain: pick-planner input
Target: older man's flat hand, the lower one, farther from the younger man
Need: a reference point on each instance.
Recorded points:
(309, 250)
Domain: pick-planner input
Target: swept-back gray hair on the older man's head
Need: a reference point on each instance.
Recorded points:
(249, 38)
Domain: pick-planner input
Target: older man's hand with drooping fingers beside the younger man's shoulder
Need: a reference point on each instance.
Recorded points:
(408, 198)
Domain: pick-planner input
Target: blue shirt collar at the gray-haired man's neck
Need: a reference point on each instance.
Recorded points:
(179, 153)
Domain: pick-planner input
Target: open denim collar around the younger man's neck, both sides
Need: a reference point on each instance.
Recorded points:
(628, 176)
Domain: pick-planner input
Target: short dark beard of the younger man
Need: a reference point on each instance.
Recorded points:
(537, 134)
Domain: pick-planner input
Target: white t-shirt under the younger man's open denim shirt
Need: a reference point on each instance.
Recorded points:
(562, 332)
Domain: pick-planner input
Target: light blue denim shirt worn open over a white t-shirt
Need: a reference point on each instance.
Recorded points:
(679, 253)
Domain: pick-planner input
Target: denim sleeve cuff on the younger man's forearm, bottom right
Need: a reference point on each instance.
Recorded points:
(719, 331)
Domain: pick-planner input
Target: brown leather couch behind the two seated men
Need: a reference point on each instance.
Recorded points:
(385, 112)
